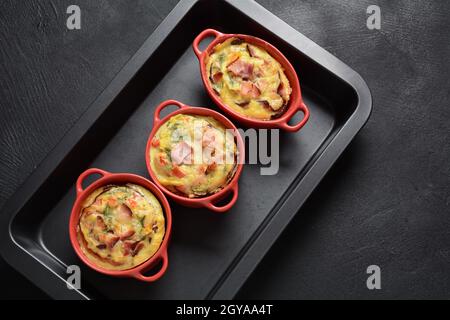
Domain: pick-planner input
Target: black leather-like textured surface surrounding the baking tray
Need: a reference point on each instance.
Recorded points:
(385, 202)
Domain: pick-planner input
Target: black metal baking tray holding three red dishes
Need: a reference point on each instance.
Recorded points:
(211, 255)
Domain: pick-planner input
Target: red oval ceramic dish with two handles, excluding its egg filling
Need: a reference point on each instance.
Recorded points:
(295, 103)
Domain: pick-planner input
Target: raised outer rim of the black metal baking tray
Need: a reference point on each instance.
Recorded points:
(236, 275)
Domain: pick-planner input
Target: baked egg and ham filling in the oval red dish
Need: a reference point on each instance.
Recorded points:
(248, 79)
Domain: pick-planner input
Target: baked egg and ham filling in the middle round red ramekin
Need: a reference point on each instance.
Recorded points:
(193, 155)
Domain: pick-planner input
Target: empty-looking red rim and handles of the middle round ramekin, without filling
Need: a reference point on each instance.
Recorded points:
(211, 200)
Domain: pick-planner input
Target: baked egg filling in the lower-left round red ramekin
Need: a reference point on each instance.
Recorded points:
(121, 226)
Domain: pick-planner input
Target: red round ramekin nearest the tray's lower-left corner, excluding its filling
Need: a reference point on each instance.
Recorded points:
(121, 178)
